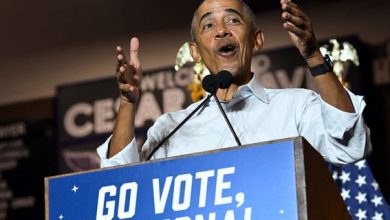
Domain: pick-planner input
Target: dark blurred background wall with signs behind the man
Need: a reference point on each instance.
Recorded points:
(54, 54)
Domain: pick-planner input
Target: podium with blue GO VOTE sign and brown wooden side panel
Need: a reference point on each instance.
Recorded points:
(284, 179)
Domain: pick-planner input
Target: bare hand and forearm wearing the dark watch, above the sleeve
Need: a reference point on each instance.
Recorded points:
(301, 32)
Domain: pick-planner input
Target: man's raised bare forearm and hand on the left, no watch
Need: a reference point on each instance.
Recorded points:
(129, 75)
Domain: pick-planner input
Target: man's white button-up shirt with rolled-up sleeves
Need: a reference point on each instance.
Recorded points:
(257, 115)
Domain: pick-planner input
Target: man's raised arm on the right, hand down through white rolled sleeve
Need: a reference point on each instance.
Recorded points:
(347, 138)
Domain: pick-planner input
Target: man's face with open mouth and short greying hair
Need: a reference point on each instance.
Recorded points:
(224, 37)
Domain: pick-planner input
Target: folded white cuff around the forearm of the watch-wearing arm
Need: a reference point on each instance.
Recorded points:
(338, 122)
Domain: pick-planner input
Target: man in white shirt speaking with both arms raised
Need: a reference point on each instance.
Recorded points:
(224, 37)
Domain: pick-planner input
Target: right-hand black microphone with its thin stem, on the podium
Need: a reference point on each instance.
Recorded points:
(224, 79)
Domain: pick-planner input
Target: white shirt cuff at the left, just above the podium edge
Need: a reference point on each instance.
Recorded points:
(129, 154)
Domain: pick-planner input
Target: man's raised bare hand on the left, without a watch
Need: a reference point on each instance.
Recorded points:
(129, 73)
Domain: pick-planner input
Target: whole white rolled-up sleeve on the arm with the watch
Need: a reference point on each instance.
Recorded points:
(341, 137)
